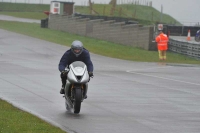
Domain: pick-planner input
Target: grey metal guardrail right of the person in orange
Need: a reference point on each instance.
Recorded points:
(191, 49)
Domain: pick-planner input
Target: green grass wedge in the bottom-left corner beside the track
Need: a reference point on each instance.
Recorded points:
(14, 120)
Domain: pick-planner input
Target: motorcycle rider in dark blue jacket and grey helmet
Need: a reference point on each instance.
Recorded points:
(76, 53)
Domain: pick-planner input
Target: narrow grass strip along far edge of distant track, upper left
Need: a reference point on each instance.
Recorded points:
(30, 15)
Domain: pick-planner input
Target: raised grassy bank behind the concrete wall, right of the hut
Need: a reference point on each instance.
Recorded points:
(139, 13)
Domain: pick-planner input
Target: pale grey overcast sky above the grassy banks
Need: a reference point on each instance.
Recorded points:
(185, 11)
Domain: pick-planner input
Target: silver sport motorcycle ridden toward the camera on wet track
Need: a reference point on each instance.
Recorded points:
(76, 86)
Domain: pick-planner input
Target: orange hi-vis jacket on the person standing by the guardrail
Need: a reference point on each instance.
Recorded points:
(162, 41)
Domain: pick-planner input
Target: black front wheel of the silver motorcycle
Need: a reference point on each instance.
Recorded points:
(77, 102)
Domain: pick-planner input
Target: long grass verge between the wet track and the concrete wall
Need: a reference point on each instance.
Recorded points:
(94, 45)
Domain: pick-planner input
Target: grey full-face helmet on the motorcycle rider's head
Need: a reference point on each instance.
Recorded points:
(77, 47)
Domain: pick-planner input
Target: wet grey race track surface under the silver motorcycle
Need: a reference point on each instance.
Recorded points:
(123, 96)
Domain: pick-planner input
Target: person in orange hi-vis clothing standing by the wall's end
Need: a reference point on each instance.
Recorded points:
(162, 43)
